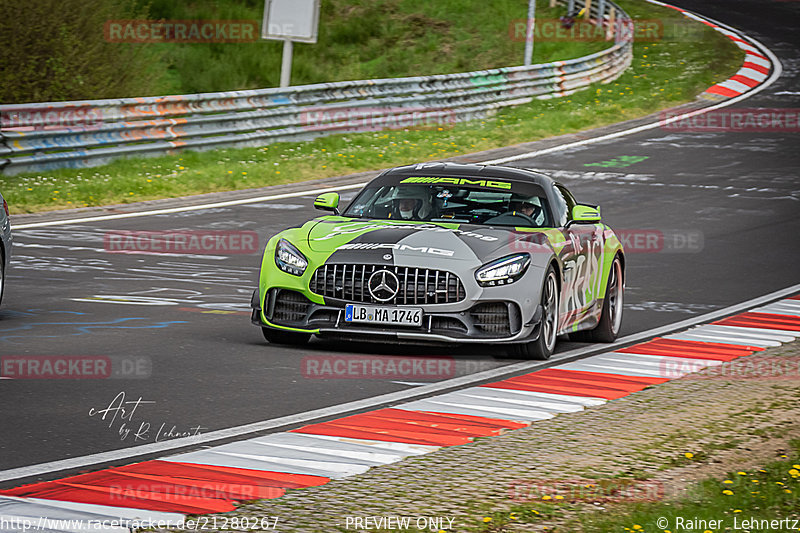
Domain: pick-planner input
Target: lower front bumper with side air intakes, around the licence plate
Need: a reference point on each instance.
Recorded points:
(478, 322)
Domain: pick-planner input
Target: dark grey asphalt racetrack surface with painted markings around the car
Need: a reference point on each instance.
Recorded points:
(727, 202)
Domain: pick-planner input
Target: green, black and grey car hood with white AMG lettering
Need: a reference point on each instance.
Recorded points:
(416, 243)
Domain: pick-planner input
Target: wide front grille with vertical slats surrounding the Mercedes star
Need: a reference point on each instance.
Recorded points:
(417, 285)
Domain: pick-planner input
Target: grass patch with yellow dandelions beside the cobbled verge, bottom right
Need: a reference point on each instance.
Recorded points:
(768, 493)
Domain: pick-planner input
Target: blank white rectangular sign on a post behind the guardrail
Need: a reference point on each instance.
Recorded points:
(289, 21)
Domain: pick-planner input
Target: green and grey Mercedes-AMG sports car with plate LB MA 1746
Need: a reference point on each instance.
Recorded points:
(444, 252)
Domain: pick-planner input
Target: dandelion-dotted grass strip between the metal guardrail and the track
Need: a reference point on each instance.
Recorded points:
(663, 74)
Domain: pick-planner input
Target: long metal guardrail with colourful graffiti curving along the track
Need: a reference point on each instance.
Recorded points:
(45, 136)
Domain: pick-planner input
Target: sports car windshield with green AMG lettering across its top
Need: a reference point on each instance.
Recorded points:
(524, 206)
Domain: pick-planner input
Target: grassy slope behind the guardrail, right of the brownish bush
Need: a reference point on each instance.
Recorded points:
(358, 39)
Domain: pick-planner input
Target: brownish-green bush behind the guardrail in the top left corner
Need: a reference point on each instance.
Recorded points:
(53, 50)
